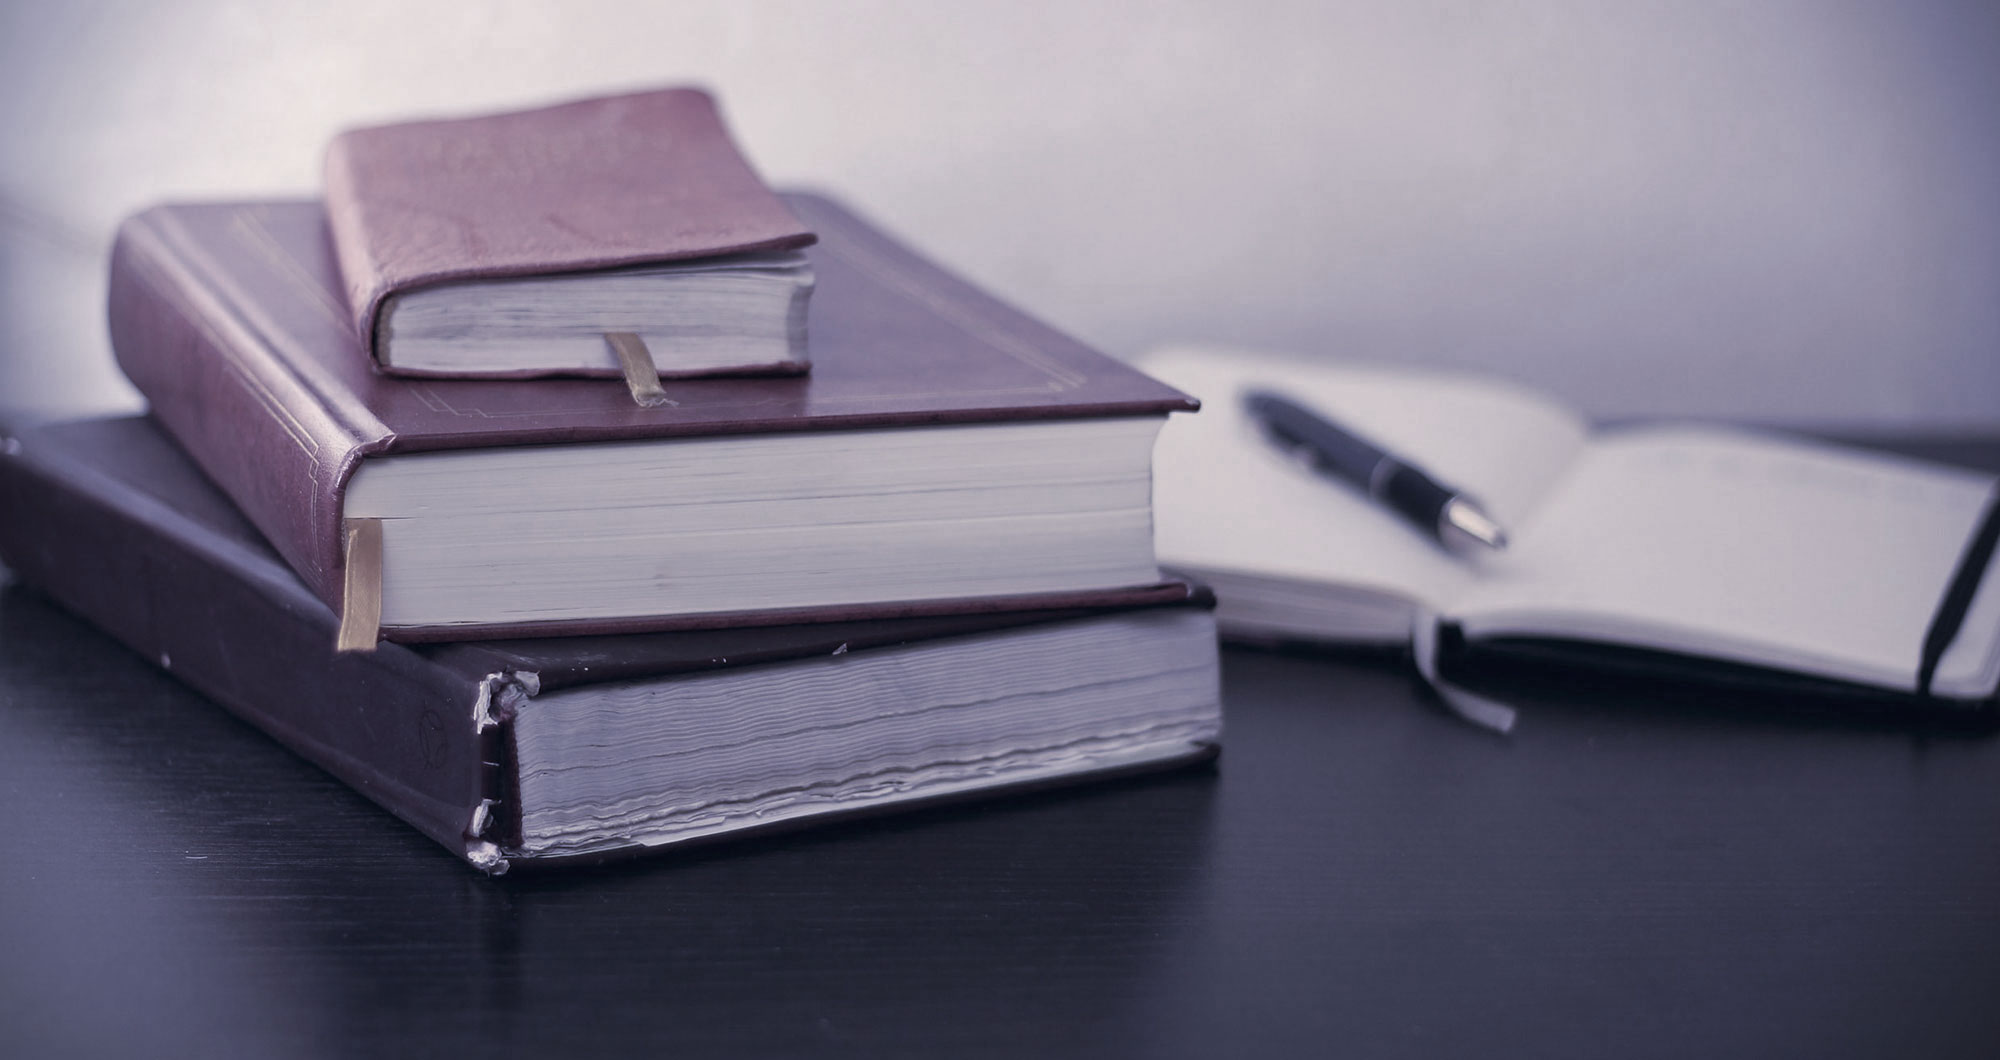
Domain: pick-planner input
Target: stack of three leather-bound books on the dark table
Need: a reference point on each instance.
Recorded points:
(785, 573)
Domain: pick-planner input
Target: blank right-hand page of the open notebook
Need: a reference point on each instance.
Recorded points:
(1747, 549)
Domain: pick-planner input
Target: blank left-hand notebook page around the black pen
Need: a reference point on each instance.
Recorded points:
(1225, 499)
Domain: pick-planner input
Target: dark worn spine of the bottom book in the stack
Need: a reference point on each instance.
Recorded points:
(419, 739)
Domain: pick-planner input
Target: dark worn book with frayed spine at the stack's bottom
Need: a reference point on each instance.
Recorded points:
(597, 747)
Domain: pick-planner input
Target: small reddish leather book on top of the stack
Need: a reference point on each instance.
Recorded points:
(511, 245)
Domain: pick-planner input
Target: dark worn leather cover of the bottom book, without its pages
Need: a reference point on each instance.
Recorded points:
(117, 525)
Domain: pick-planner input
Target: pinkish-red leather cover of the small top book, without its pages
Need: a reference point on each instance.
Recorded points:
(605, 183)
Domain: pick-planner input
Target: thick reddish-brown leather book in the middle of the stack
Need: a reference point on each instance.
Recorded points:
(945, 455)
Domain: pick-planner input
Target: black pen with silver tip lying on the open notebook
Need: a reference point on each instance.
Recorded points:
(1441, 511)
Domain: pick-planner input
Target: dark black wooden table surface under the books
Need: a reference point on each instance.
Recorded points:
(1635, 873)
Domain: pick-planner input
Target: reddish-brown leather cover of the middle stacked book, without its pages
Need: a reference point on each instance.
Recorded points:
(231, 321)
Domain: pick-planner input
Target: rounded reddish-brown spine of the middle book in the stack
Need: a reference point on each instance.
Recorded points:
(213, 381)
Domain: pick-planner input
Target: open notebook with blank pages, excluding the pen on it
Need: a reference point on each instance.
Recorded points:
(1689, 541)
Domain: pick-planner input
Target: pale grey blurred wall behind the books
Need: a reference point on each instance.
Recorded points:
(1783, 211)
